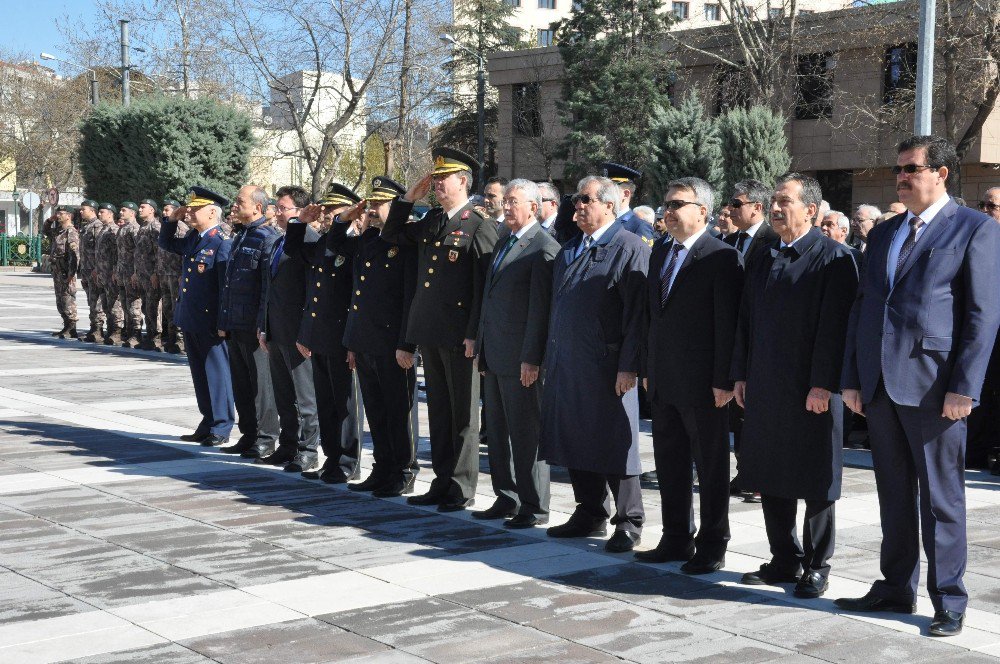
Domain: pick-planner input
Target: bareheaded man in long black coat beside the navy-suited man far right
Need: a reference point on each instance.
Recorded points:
(786, 363)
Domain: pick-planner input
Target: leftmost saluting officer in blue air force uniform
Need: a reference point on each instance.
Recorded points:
(204, 252)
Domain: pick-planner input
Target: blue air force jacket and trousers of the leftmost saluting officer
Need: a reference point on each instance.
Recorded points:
(196, 313)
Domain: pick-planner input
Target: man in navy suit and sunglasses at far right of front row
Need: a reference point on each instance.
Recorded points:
(920, 338)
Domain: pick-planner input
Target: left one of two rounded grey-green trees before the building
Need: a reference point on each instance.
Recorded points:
(684, 142)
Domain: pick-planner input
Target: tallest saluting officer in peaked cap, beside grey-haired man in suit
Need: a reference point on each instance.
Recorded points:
(455, 249)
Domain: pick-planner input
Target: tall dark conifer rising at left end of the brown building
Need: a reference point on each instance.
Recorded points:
(616, 76)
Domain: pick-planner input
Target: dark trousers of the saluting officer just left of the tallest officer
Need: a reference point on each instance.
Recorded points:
(390, 396)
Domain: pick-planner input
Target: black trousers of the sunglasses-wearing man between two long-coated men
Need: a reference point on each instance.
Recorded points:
(682, 434)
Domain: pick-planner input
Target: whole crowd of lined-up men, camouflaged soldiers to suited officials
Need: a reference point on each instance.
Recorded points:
(554, 319)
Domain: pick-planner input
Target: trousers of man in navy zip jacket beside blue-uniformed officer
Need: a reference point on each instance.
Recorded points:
(252, 389)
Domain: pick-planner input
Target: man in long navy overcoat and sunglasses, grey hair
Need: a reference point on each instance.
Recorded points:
(590, 407)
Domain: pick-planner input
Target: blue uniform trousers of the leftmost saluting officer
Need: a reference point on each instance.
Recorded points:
(208, 359)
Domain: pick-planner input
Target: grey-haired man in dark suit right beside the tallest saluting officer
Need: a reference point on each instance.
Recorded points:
(511, 344)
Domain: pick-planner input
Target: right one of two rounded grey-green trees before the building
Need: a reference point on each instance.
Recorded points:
(754, 144)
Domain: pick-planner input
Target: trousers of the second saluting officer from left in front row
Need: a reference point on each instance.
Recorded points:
(341, 415)
